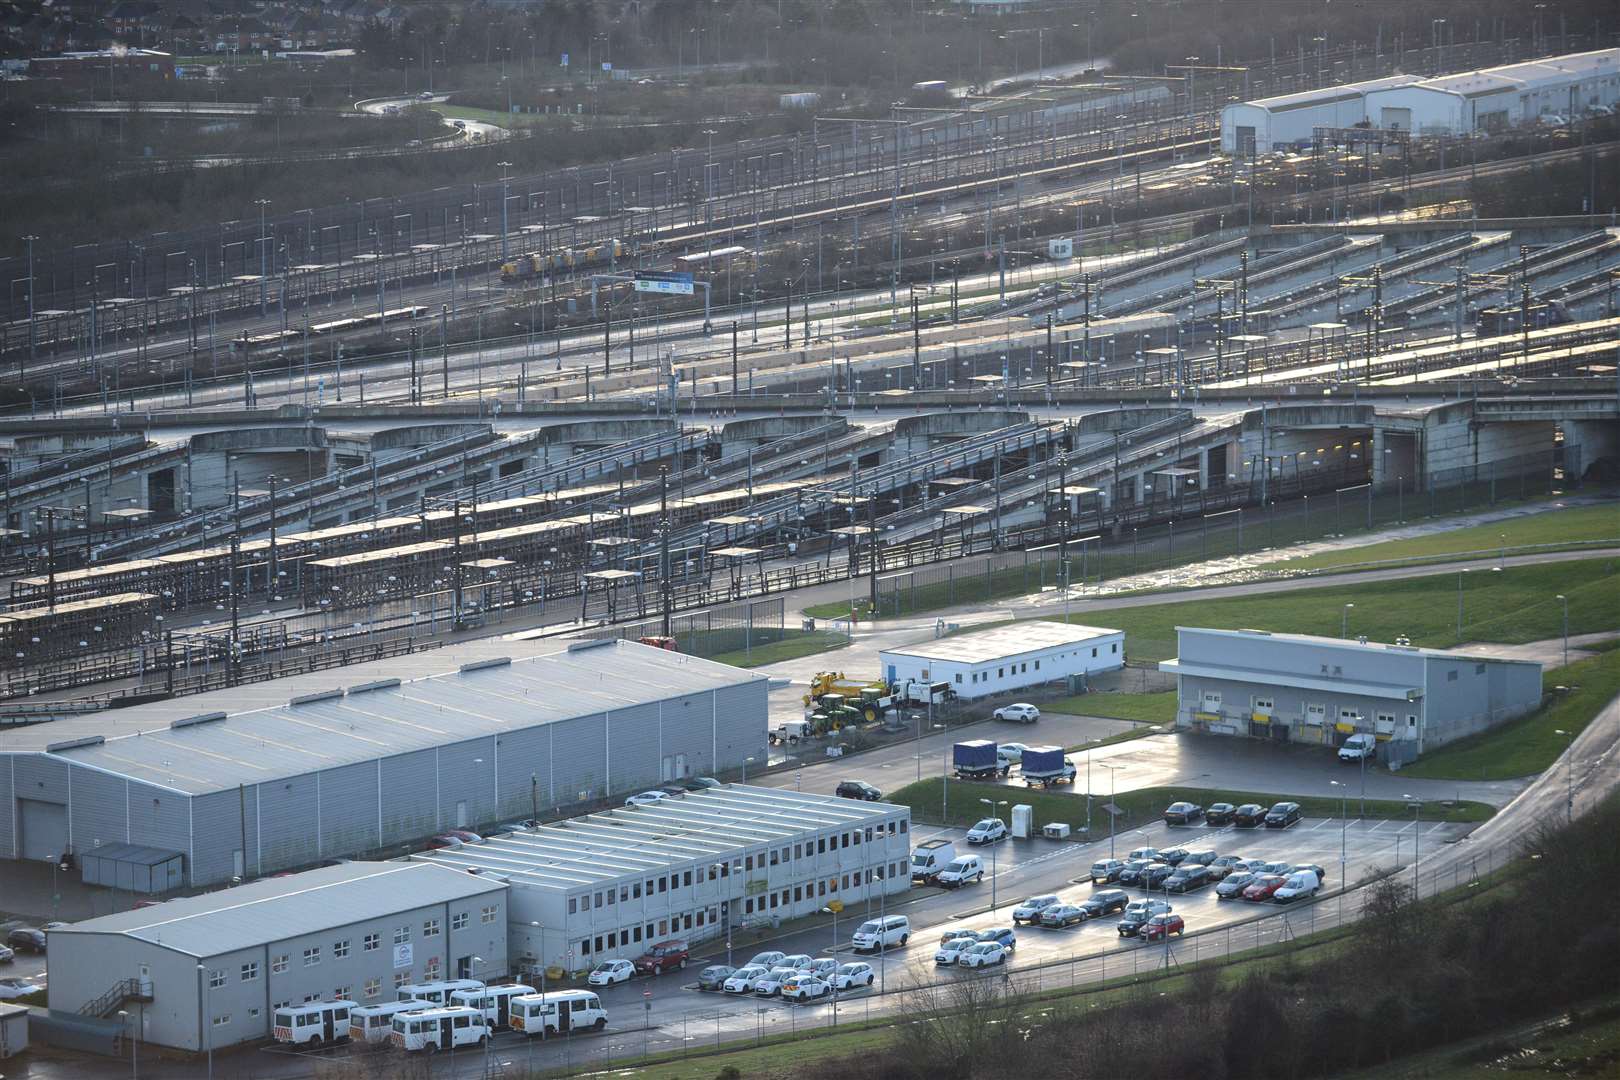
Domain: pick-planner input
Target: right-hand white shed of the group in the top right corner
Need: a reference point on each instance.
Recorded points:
(1501, 98)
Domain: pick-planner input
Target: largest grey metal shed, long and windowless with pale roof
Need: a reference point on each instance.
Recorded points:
(283, 775)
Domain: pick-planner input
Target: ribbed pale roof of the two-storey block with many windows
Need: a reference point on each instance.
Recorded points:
(704, 827)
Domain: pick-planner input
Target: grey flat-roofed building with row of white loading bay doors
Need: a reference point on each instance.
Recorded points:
(1315, 691)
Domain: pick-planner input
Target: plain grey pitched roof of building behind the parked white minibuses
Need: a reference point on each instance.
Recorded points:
(278, 909)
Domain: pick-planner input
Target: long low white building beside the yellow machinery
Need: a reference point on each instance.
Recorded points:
(1007, 658)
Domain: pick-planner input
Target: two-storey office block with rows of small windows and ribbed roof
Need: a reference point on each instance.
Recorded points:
(612, 885)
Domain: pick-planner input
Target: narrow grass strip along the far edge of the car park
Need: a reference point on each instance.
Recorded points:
(1141, 806)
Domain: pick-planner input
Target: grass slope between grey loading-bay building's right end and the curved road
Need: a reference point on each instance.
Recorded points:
(1530, 744)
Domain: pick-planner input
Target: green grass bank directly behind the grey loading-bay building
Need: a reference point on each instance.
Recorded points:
(1509, 606)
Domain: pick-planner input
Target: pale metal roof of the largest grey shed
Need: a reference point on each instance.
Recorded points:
(440, 700)
